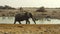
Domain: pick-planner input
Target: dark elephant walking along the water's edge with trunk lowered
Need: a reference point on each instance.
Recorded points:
(24, 16)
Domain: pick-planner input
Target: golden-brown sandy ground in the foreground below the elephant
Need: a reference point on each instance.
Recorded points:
(29, 29)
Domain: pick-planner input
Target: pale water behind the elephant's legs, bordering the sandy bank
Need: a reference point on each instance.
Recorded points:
(10, 20)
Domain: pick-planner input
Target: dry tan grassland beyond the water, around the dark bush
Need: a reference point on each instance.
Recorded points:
(54, 13)
